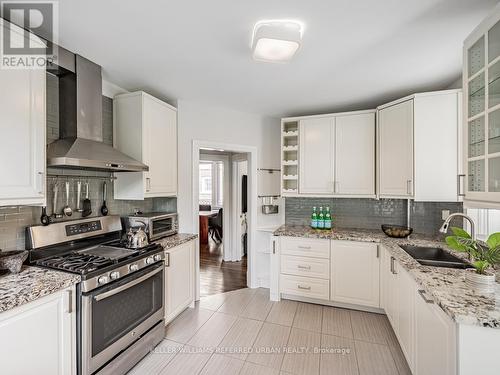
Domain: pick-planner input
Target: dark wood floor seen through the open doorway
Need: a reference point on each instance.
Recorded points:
(217, 276)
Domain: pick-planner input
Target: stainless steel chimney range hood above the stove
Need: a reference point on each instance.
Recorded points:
(80, 120)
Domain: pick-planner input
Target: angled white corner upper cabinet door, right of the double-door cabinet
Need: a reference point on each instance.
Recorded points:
(396, 150)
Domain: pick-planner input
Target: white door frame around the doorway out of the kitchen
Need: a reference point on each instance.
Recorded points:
(252, 202)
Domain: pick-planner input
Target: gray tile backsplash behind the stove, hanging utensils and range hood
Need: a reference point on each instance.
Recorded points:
(13, 220)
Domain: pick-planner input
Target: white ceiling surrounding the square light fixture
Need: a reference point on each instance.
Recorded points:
(355, 54)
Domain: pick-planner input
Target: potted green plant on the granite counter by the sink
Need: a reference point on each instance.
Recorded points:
(483, 255)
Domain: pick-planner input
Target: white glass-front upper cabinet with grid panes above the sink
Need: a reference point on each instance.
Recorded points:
(481, 83)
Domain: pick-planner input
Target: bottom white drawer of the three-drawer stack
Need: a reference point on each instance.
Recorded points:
(305, 286)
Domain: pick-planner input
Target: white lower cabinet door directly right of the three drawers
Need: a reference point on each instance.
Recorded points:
(355, 270)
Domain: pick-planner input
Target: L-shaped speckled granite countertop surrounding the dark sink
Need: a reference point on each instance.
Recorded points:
(446, 285)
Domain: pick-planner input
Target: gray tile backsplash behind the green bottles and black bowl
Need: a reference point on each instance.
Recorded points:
(371, 213)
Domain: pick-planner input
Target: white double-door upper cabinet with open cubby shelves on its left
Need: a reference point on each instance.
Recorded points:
(336, 155)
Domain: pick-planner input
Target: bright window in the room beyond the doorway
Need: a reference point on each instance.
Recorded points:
(211, 183)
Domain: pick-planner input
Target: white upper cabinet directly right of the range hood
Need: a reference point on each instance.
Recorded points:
(145, 128)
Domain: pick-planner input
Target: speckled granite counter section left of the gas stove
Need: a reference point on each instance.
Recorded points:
(30, 284)
